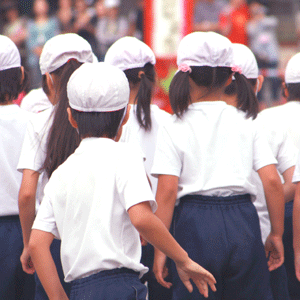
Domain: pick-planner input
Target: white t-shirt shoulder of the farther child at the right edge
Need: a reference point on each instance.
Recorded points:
(286, 116)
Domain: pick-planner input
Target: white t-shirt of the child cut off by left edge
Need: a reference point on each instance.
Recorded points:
(13, 122)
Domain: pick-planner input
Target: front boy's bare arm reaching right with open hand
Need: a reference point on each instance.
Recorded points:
(152, 228)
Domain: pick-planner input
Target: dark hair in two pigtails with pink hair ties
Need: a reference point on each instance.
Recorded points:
(212, 79)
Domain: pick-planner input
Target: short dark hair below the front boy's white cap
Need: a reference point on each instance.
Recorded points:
(98, 124)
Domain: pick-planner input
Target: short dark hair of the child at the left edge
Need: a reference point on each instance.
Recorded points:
(11, 84)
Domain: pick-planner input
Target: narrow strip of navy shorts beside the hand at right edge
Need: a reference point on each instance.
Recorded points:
(293, 283)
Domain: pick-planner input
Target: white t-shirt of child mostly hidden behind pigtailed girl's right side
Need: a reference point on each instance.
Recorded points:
(286, 154)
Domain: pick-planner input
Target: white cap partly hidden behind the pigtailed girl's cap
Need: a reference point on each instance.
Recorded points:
(245, 59)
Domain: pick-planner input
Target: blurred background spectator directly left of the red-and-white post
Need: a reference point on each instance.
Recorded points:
(136, 21)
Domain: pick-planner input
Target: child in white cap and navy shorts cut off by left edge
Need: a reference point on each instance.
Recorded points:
(15, 284)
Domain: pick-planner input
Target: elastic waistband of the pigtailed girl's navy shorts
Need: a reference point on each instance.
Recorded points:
(213, 200)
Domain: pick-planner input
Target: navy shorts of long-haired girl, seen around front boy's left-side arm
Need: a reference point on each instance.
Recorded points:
(40, 293)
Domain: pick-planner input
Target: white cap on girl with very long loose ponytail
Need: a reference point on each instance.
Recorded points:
(63, 47)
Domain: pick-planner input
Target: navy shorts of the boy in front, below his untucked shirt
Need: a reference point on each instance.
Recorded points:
(116, 284)
